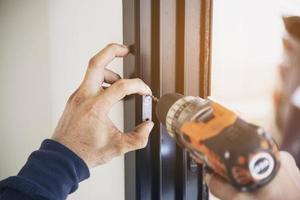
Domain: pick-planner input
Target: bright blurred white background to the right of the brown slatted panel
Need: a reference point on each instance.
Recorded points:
(247, 49)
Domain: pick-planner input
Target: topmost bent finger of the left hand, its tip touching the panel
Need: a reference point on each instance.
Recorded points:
(95, 74)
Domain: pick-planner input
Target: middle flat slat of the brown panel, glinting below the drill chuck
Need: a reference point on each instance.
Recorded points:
(167, 55)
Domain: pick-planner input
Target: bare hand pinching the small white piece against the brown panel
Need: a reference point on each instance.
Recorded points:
(85, 127)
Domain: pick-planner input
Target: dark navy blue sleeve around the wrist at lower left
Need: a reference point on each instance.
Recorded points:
(52, 172)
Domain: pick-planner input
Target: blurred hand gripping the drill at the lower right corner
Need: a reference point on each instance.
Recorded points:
(285, 186)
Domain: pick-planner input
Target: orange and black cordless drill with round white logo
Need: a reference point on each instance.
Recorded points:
(242, 153)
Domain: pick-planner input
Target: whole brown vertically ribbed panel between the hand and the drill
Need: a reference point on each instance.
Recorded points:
(171, 40)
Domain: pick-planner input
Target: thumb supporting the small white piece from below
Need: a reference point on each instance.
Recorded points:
(138, 138)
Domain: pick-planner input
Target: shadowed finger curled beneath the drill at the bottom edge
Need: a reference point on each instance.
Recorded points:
(219, 187)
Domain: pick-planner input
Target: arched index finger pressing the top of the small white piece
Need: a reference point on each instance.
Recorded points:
(120, 89)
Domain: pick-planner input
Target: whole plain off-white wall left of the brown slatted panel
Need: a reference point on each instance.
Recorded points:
(44, 51)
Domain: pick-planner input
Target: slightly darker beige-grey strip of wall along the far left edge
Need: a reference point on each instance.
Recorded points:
(25, 98)
